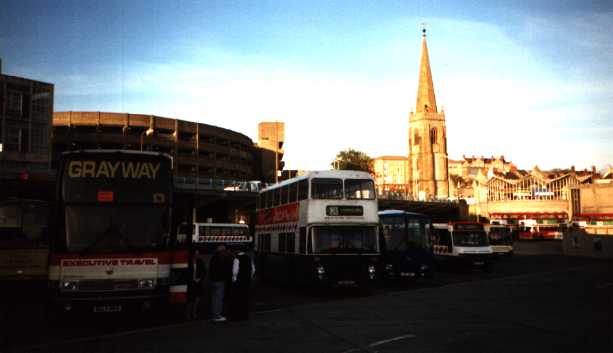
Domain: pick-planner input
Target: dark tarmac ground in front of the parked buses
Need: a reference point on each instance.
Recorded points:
(536, 301)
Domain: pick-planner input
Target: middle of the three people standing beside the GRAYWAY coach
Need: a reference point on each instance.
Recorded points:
(220, 272)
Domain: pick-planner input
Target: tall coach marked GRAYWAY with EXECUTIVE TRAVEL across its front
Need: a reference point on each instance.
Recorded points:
(113, 248)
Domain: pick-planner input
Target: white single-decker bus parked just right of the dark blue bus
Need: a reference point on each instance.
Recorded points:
(463, 243)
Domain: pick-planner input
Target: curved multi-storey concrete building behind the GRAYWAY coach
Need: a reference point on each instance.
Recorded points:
(199, 150)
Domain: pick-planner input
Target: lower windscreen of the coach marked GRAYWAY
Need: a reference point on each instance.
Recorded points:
(91, 228)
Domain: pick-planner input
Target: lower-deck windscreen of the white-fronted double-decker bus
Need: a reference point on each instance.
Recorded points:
(344, 239)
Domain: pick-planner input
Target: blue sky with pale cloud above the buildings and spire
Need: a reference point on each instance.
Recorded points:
(532, 81)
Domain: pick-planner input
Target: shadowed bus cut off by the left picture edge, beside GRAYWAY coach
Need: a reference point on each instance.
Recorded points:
(24, 249)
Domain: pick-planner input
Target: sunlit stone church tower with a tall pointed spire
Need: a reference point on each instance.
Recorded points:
(428, 173)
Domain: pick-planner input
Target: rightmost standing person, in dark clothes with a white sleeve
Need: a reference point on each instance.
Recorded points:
(242, 273)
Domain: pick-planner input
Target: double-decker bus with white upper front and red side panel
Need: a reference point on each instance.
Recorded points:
(319, 229)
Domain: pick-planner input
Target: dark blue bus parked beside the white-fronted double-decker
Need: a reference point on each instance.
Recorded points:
(406, 253)
